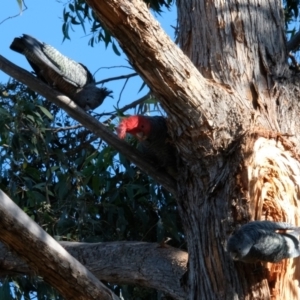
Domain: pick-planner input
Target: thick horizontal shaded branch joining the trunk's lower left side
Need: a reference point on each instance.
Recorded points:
(138, 263)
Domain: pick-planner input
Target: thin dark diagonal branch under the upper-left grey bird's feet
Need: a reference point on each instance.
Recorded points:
(87, 121)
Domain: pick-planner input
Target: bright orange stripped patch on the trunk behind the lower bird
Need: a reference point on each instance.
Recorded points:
(270, 179)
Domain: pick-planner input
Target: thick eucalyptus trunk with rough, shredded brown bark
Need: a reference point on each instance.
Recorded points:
(250, 171)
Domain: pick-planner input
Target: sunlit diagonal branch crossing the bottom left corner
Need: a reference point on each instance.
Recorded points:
(47, 257)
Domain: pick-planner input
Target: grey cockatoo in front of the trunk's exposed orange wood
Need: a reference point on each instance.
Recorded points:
(264, 241)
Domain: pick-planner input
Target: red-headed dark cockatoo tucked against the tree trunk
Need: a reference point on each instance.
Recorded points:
(154, 140)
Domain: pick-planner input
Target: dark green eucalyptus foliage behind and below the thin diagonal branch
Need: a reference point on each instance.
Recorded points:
(73, 184)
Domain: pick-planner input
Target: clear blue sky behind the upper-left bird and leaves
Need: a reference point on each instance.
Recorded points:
(43, 20)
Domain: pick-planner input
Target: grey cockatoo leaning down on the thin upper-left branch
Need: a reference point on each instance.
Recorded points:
(64, 74)
